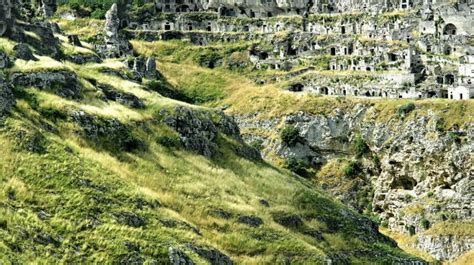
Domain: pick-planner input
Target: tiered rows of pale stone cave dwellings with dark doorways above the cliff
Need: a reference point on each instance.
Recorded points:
(411, 53)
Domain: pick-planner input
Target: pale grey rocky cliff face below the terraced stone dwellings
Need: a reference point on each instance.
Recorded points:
(419, 172)
